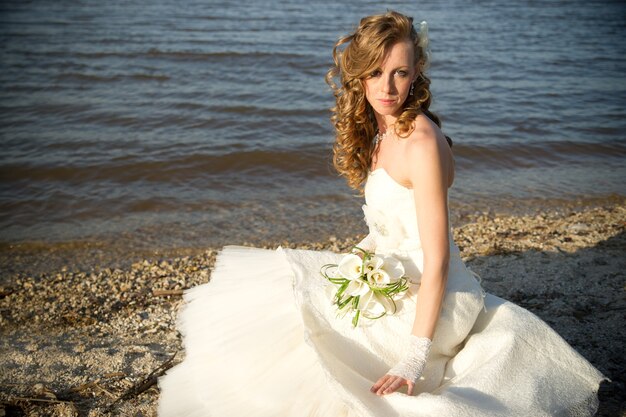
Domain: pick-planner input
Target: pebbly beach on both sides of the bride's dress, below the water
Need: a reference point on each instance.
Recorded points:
(83, 334)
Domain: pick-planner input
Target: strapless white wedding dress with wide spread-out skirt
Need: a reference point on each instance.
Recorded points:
(262, 339)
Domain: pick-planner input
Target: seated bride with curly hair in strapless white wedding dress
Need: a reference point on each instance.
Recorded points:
(263, 339)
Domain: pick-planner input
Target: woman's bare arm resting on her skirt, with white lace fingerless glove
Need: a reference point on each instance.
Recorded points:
(429, 169)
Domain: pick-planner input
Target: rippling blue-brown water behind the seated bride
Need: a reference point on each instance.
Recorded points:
(206, 122)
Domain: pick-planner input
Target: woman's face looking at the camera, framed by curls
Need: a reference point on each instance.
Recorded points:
(387, 87)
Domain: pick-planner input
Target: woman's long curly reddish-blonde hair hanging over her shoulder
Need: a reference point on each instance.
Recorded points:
(353, 117)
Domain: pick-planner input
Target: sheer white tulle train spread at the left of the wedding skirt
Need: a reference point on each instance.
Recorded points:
(244, 345)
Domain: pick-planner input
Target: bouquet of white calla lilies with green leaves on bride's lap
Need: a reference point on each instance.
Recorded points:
(367, 285)
